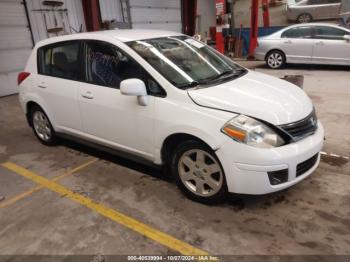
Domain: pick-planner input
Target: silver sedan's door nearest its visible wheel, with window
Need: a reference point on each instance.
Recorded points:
(297, 44)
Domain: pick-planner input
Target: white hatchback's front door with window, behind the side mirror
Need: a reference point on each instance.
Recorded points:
(108, 116)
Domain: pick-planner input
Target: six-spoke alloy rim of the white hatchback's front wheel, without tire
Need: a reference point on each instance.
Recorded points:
(200, 173)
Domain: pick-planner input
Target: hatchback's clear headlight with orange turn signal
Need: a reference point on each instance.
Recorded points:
(247, 130)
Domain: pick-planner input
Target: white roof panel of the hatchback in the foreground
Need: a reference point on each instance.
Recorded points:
(123, 35)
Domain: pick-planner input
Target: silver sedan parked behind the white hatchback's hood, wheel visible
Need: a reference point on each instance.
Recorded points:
(313, 43)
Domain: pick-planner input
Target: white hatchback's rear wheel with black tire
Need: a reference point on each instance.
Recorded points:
(42, 127)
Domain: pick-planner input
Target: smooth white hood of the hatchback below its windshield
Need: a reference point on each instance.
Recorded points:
(257, 95)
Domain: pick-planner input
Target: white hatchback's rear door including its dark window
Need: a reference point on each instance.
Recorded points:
(58, 82)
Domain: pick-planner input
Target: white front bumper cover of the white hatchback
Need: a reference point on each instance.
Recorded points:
(247, 167)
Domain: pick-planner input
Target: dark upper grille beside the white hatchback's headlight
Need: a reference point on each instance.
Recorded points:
(302, 128)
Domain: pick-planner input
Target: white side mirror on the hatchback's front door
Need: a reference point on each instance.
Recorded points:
(135, 87)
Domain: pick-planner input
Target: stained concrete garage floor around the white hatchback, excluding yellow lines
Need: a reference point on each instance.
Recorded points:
(311, 218)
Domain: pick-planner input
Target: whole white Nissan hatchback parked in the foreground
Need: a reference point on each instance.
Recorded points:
(166, 98)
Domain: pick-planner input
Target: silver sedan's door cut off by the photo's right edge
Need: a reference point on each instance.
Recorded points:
(330, 46)
